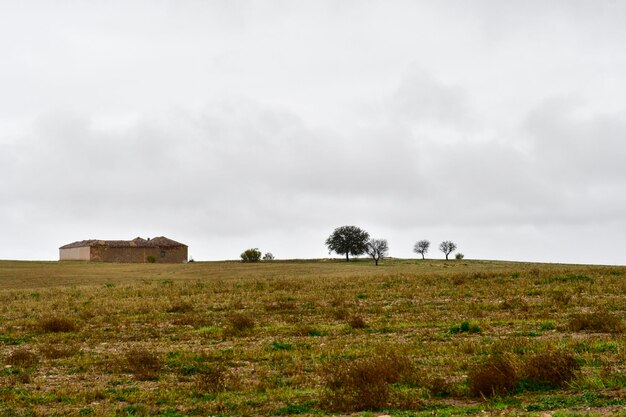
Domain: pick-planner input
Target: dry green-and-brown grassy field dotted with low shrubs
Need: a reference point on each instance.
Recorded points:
(405, 338)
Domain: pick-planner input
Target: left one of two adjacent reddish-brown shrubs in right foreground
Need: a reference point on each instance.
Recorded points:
(496, 376)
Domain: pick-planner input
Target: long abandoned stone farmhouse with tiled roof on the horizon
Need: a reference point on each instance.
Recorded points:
(159, 249)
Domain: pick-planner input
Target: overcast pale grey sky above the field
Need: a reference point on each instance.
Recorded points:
(234, 124)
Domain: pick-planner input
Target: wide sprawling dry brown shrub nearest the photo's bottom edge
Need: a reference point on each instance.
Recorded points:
(364, 384)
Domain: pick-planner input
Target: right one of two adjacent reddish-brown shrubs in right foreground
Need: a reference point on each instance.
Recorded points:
(550, 369)
